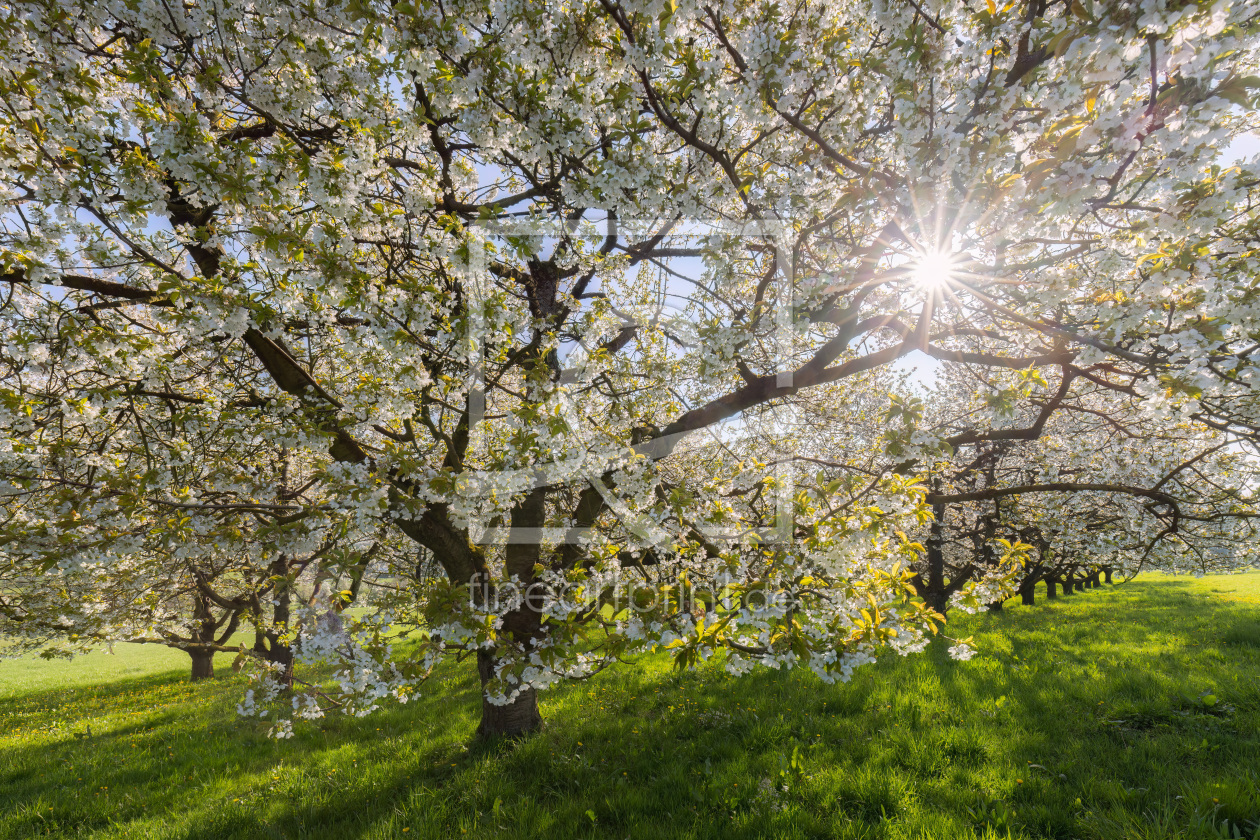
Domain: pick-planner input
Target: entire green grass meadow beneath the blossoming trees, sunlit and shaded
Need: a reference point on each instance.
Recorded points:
(1080, 718)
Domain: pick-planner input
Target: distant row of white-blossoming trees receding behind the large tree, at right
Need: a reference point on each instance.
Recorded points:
(1092, 485)
